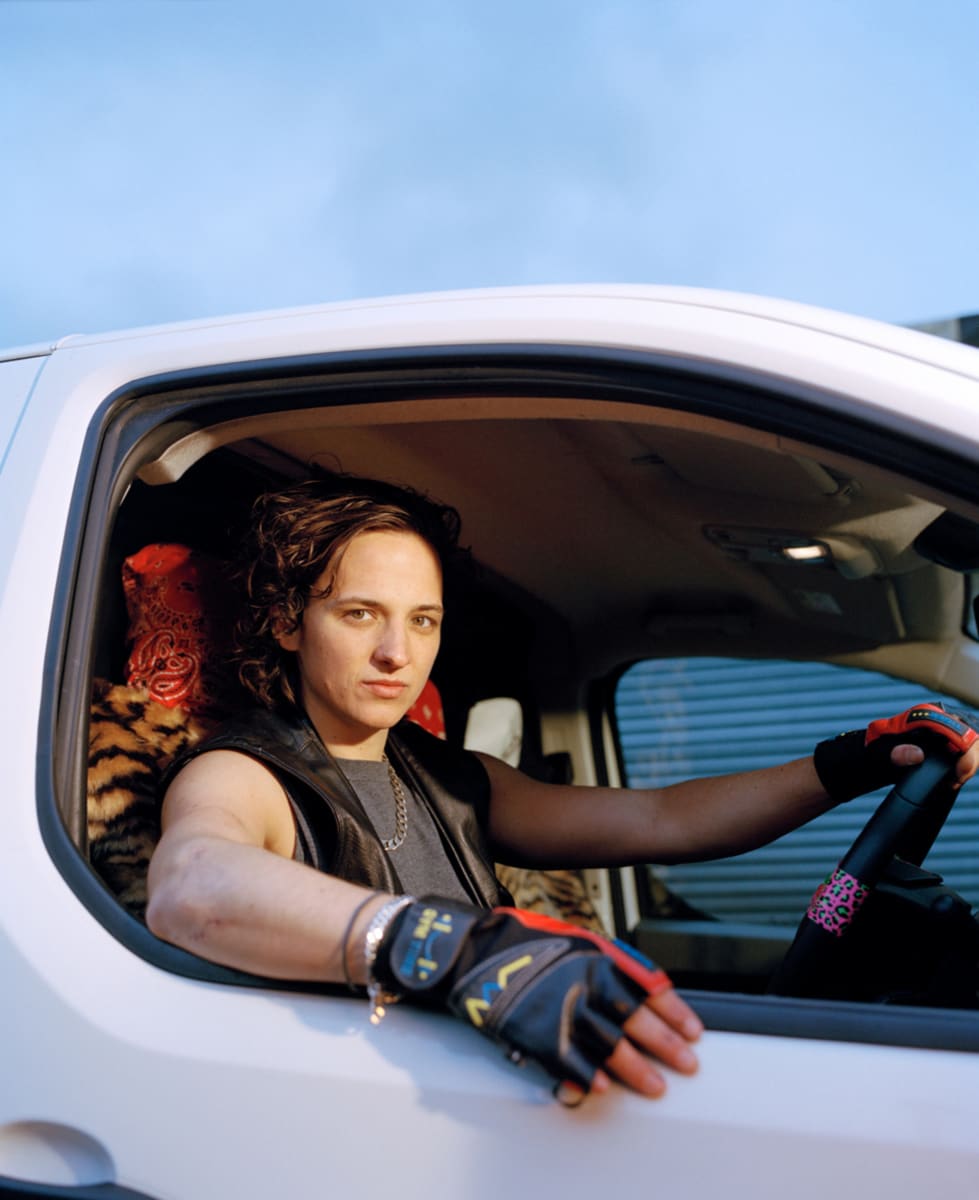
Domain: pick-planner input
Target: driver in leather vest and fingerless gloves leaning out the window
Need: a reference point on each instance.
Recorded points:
(297, 839)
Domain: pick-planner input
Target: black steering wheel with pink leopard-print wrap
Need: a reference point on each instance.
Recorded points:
(911, 814)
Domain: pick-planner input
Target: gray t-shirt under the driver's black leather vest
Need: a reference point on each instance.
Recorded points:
(421, 861)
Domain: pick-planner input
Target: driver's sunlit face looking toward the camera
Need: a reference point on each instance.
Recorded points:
(365, 651)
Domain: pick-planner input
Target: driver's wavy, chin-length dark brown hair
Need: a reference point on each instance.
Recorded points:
(299, 533)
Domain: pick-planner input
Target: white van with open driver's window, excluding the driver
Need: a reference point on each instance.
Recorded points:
(648, 477)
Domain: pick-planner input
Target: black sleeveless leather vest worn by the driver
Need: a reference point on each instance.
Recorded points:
(334, 832)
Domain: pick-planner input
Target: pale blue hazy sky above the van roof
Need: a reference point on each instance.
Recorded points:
(165, 160)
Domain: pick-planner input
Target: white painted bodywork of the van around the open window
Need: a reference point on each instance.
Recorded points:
(193, 1090)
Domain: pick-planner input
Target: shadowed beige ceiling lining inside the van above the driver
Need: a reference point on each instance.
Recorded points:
(624, 539)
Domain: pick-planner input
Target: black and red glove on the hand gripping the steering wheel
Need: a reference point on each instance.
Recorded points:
(858, 763)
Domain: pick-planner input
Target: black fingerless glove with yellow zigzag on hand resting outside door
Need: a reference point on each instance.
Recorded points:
(544, 989)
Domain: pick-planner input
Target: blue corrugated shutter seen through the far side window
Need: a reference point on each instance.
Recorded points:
(687, 718)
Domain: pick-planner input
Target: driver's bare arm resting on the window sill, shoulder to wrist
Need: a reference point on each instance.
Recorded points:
(223, 883)
